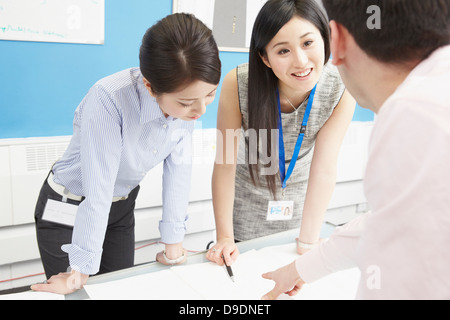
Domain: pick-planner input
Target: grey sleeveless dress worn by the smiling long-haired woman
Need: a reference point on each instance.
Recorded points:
(251, 202)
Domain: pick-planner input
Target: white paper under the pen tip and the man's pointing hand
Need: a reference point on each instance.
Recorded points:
(212, 281)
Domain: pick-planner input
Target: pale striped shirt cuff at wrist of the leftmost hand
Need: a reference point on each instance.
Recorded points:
(83, 261)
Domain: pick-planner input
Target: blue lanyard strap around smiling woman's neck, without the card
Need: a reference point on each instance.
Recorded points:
(282, 158)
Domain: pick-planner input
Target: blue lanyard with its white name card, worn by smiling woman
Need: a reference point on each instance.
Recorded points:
(276, 207)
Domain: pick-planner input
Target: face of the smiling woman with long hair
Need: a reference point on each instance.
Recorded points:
(296, 55)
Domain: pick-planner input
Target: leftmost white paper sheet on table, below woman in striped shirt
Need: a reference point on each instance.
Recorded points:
(161, 285)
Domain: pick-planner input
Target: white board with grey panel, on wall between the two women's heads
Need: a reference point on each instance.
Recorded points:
(230, 20)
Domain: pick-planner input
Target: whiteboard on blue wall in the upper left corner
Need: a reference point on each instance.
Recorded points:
(66, 21)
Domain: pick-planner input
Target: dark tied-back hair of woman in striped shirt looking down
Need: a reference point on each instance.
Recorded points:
(177, 50)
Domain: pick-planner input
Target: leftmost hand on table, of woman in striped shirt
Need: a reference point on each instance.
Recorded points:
(62, 283)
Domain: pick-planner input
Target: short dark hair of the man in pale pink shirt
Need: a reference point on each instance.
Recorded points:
(409, 29)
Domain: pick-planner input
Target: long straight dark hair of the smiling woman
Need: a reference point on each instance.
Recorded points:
(262, 82)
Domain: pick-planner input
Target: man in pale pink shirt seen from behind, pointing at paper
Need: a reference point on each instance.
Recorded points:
(394, 58)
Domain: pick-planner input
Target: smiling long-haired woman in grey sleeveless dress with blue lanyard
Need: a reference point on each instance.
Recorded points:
(288, 79)
